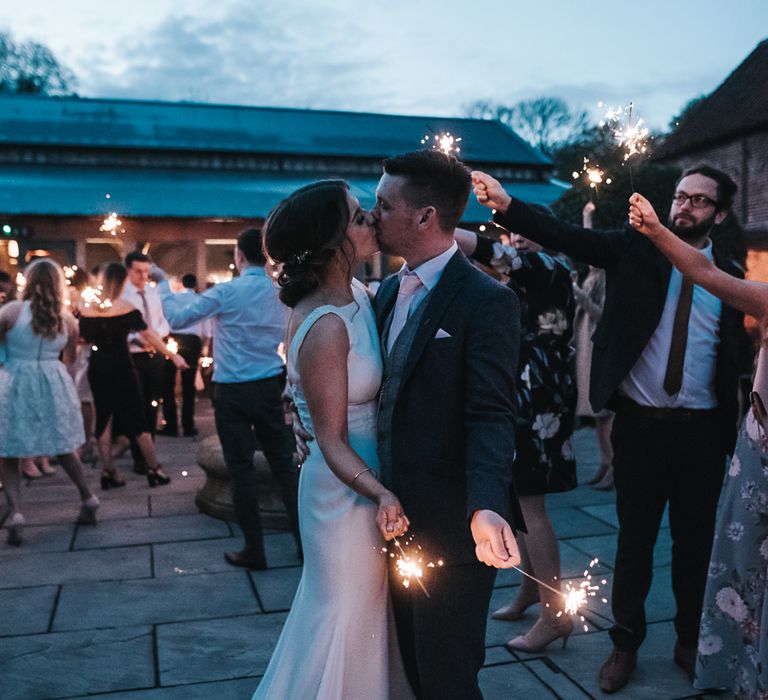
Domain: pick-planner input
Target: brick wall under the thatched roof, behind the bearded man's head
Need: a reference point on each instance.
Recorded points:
(746, 161)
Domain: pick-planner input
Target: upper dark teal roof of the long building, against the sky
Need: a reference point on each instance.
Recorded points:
(182, 126)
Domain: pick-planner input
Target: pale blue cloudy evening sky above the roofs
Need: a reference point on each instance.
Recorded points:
(398, 56)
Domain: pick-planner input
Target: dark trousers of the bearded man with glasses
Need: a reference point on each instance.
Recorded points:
(656, 462)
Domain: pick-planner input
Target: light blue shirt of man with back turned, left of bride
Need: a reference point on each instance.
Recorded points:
(248, 324)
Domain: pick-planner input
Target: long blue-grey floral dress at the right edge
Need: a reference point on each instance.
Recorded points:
(733, 638)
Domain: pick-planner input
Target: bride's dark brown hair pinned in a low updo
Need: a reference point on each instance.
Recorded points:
(302, 234)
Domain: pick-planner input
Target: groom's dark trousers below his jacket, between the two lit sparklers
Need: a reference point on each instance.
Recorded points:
(442, 637)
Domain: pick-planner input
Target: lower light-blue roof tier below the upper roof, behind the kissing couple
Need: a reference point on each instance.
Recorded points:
(80, 191)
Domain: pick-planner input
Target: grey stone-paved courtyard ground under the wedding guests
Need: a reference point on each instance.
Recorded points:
(144, 606)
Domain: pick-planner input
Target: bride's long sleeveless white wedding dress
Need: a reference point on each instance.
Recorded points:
(339, 641)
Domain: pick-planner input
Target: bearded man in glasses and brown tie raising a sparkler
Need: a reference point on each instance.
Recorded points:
(666, 359)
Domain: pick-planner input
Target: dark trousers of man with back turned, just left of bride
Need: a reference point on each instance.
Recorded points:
(247, 412)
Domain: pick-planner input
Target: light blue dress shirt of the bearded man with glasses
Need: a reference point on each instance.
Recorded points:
(645, 382)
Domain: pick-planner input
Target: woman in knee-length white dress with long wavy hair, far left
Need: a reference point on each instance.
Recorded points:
(39, 407)
